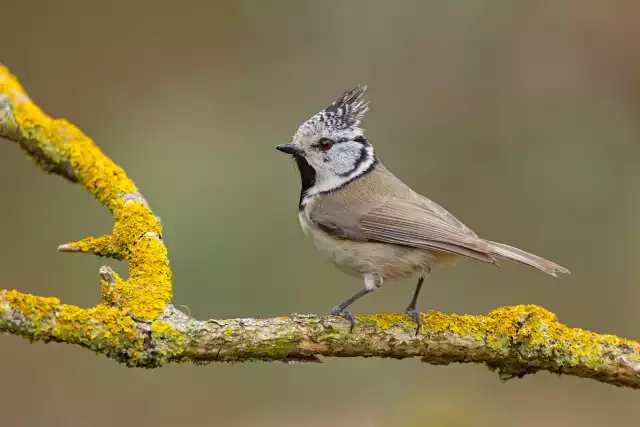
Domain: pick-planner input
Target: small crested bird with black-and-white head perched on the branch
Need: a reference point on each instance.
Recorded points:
(368, 222)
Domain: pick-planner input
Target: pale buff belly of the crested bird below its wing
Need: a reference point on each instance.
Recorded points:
(356, 258)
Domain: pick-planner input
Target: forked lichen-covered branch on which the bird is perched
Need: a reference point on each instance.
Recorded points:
(135, 323)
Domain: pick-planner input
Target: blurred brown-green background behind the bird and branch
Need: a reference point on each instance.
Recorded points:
(519, 117)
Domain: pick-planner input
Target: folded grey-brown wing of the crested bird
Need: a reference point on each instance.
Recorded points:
(401, 222)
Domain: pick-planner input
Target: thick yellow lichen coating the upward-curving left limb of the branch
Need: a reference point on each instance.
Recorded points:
(148, 290)
